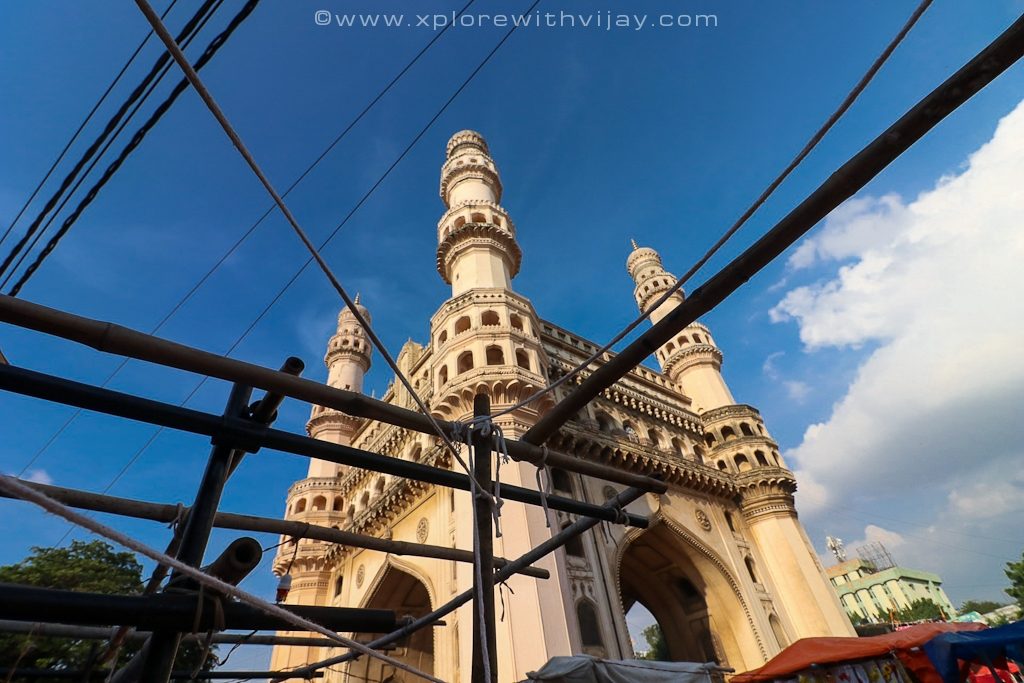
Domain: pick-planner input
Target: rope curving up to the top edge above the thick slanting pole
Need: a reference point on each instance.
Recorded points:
(812, 145)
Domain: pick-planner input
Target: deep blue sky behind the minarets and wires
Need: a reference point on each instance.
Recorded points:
(662, 135)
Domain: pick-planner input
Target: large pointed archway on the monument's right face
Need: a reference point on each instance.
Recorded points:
(692, 593)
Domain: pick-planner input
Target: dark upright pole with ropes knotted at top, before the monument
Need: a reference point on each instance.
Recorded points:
(485, 633)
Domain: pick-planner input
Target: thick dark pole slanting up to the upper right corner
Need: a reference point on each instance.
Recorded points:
(841, 186)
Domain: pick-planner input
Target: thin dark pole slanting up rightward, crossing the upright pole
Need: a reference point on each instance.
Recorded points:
(556, 542)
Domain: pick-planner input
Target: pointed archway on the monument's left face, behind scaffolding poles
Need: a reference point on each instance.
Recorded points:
(408, 596)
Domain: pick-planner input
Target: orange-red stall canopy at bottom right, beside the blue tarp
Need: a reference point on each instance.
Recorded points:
(809, 653)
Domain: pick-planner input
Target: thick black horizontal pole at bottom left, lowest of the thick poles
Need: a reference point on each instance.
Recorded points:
(166, 612)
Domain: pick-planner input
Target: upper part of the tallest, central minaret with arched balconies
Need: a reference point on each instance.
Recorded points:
(486, 331)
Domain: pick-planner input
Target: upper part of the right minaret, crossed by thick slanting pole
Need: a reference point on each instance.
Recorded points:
(692, 360)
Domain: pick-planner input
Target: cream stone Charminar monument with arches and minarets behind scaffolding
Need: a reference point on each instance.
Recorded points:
(726, 568)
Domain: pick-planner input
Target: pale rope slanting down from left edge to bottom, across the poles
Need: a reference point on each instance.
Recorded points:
(19, 490)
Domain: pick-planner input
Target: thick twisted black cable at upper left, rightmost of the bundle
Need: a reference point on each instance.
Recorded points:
(137, 140)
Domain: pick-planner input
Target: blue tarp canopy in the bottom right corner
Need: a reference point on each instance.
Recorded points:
(991, 647)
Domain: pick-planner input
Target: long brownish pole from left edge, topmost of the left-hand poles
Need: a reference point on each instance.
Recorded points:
(116, 339)
